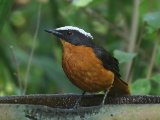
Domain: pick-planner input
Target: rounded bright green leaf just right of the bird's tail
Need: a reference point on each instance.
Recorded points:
(141, 87)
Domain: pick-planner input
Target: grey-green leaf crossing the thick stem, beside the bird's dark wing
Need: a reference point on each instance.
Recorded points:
(123, 57)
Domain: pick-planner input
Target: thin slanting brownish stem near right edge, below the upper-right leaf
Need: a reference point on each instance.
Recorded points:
(151, 64)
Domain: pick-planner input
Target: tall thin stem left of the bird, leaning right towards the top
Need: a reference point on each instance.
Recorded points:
(32, 50)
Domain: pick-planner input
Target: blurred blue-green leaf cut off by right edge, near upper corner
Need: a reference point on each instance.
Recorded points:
(153, 19)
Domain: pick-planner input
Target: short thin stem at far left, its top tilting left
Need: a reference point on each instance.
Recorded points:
(17, 69)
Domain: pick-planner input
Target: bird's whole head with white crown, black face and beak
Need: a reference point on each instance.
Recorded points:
(73, 35)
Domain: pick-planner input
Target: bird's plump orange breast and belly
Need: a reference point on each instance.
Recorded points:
(84, 69)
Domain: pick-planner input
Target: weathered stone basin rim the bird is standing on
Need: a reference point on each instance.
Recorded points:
(59, 107)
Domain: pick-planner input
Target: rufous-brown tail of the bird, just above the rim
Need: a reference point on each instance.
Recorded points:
(119, 88)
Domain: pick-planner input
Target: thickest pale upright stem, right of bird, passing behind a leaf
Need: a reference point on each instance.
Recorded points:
(133, 35)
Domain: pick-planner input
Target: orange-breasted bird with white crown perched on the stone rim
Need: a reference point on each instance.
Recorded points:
(87, 65)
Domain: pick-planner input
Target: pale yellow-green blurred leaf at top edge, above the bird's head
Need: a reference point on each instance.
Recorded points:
(81, 3)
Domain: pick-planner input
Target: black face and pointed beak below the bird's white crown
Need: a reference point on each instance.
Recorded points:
(72, 36)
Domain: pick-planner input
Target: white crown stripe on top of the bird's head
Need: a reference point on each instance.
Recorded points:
(77, 29)
